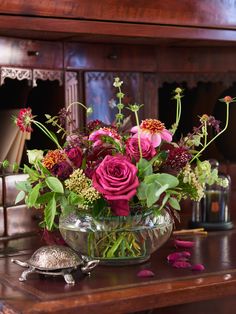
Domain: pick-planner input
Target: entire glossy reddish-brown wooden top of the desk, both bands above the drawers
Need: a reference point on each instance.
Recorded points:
(202, 22)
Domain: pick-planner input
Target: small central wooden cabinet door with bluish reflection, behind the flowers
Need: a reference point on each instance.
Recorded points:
(100, 94)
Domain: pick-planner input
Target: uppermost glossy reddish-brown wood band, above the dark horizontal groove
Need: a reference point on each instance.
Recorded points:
(187, 13)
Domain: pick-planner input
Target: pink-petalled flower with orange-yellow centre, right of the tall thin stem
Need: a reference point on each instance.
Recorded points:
(154, 130)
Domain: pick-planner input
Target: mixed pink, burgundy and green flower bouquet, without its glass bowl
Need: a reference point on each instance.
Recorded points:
(112, 170)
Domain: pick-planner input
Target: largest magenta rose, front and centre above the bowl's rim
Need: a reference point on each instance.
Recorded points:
(116, 179)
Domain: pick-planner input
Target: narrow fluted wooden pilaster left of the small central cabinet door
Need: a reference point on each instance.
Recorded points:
(71, 96)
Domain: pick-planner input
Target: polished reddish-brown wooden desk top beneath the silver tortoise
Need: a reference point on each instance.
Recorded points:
(112, 289)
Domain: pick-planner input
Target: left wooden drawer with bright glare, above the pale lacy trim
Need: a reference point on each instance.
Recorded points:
(31, 53)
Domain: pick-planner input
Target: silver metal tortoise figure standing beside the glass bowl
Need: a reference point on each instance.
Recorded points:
(56, 260)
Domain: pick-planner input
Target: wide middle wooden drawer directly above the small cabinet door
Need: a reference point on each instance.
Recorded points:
(107, 57)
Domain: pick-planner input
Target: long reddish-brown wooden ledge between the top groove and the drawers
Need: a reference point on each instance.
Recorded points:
(106, 32)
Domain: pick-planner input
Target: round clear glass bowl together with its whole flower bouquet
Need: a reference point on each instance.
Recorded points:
(114, 192)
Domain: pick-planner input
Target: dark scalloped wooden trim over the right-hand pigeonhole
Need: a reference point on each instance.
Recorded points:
(192, 79)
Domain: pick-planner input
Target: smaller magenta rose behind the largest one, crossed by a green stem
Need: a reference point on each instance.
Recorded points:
(132, 149)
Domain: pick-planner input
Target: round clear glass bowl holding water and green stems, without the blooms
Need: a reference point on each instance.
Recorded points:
(116, 240)
